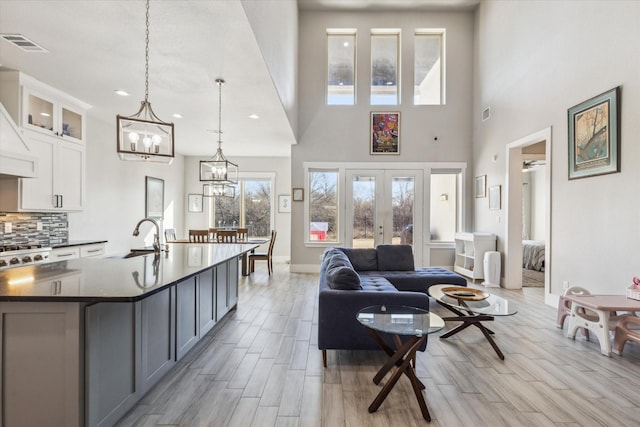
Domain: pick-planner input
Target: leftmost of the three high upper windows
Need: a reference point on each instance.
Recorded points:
(341, 67)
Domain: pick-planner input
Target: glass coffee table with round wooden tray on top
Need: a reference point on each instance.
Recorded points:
(472, 310)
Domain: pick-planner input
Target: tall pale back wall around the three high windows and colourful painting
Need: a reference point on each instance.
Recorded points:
(341, 133)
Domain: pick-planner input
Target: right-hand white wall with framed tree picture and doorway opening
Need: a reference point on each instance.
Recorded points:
(534, 60)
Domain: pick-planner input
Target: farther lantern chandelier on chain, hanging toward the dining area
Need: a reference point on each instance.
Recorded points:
(220, 174)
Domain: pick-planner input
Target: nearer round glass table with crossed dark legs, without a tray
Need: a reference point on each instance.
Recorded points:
(408, 327)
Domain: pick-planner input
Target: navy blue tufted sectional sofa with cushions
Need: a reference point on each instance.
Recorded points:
(352, 279)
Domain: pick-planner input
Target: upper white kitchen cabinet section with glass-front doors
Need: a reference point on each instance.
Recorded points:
(37, 106)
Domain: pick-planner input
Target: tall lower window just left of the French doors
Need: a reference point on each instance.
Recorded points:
(323, 205)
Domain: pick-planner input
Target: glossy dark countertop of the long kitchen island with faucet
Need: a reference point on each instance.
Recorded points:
(112, 279)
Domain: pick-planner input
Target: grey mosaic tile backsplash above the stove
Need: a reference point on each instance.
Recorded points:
(24, 228)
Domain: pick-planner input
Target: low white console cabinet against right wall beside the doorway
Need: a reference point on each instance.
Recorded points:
(470, 249)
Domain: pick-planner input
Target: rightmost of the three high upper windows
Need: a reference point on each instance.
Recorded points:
(429, 67)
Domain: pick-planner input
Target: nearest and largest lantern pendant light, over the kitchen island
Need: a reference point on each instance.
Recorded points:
(143, 136)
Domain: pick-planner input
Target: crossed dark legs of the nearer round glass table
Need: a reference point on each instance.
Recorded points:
(400, 358)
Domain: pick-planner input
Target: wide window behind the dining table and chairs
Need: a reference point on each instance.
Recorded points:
(252, 207)
